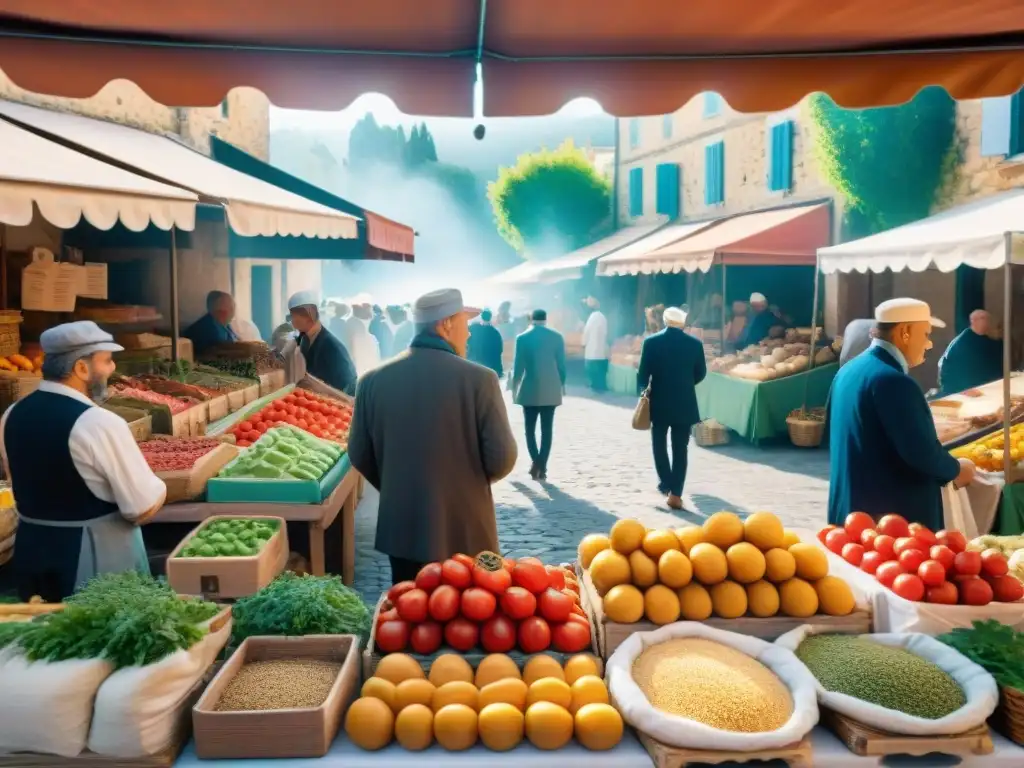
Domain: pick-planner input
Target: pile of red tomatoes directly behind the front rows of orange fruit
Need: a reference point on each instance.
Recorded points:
(494, 604)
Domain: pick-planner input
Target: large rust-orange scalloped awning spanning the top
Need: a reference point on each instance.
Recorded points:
(641, 58)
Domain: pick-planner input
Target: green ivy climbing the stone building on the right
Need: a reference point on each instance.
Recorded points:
(889, 163)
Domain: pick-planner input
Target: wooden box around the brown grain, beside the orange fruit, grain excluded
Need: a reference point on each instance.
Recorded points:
(280, 734)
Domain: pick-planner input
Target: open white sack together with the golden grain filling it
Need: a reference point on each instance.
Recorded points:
(790, 720)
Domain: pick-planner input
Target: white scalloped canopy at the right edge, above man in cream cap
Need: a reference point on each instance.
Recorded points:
(974, 235)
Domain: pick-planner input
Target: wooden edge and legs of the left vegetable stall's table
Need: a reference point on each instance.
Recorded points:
(320, 517)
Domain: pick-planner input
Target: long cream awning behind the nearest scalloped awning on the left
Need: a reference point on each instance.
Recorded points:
(253, 206)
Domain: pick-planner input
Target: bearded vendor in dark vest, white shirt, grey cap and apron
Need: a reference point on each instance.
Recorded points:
(81, 484)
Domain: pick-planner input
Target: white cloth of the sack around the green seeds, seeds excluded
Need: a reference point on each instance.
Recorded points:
(979, 688)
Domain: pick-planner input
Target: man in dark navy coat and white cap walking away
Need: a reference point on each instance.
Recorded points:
(672, 364)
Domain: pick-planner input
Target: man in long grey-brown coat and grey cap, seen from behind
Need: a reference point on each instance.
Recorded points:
(431, 433)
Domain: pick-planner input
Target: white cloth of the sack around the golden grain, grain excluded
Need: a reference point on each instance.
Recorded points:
(679, 732)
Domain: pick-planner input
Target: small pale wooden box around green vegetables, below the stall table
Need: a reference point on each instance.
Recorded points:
(228, 576)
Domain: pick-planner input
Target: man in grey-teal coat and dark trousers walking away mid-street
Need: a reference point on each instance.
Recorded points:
(538, 382)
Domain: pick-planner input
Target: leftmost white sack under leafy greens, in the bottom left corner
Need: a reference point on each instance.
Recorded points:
(48, 707)
